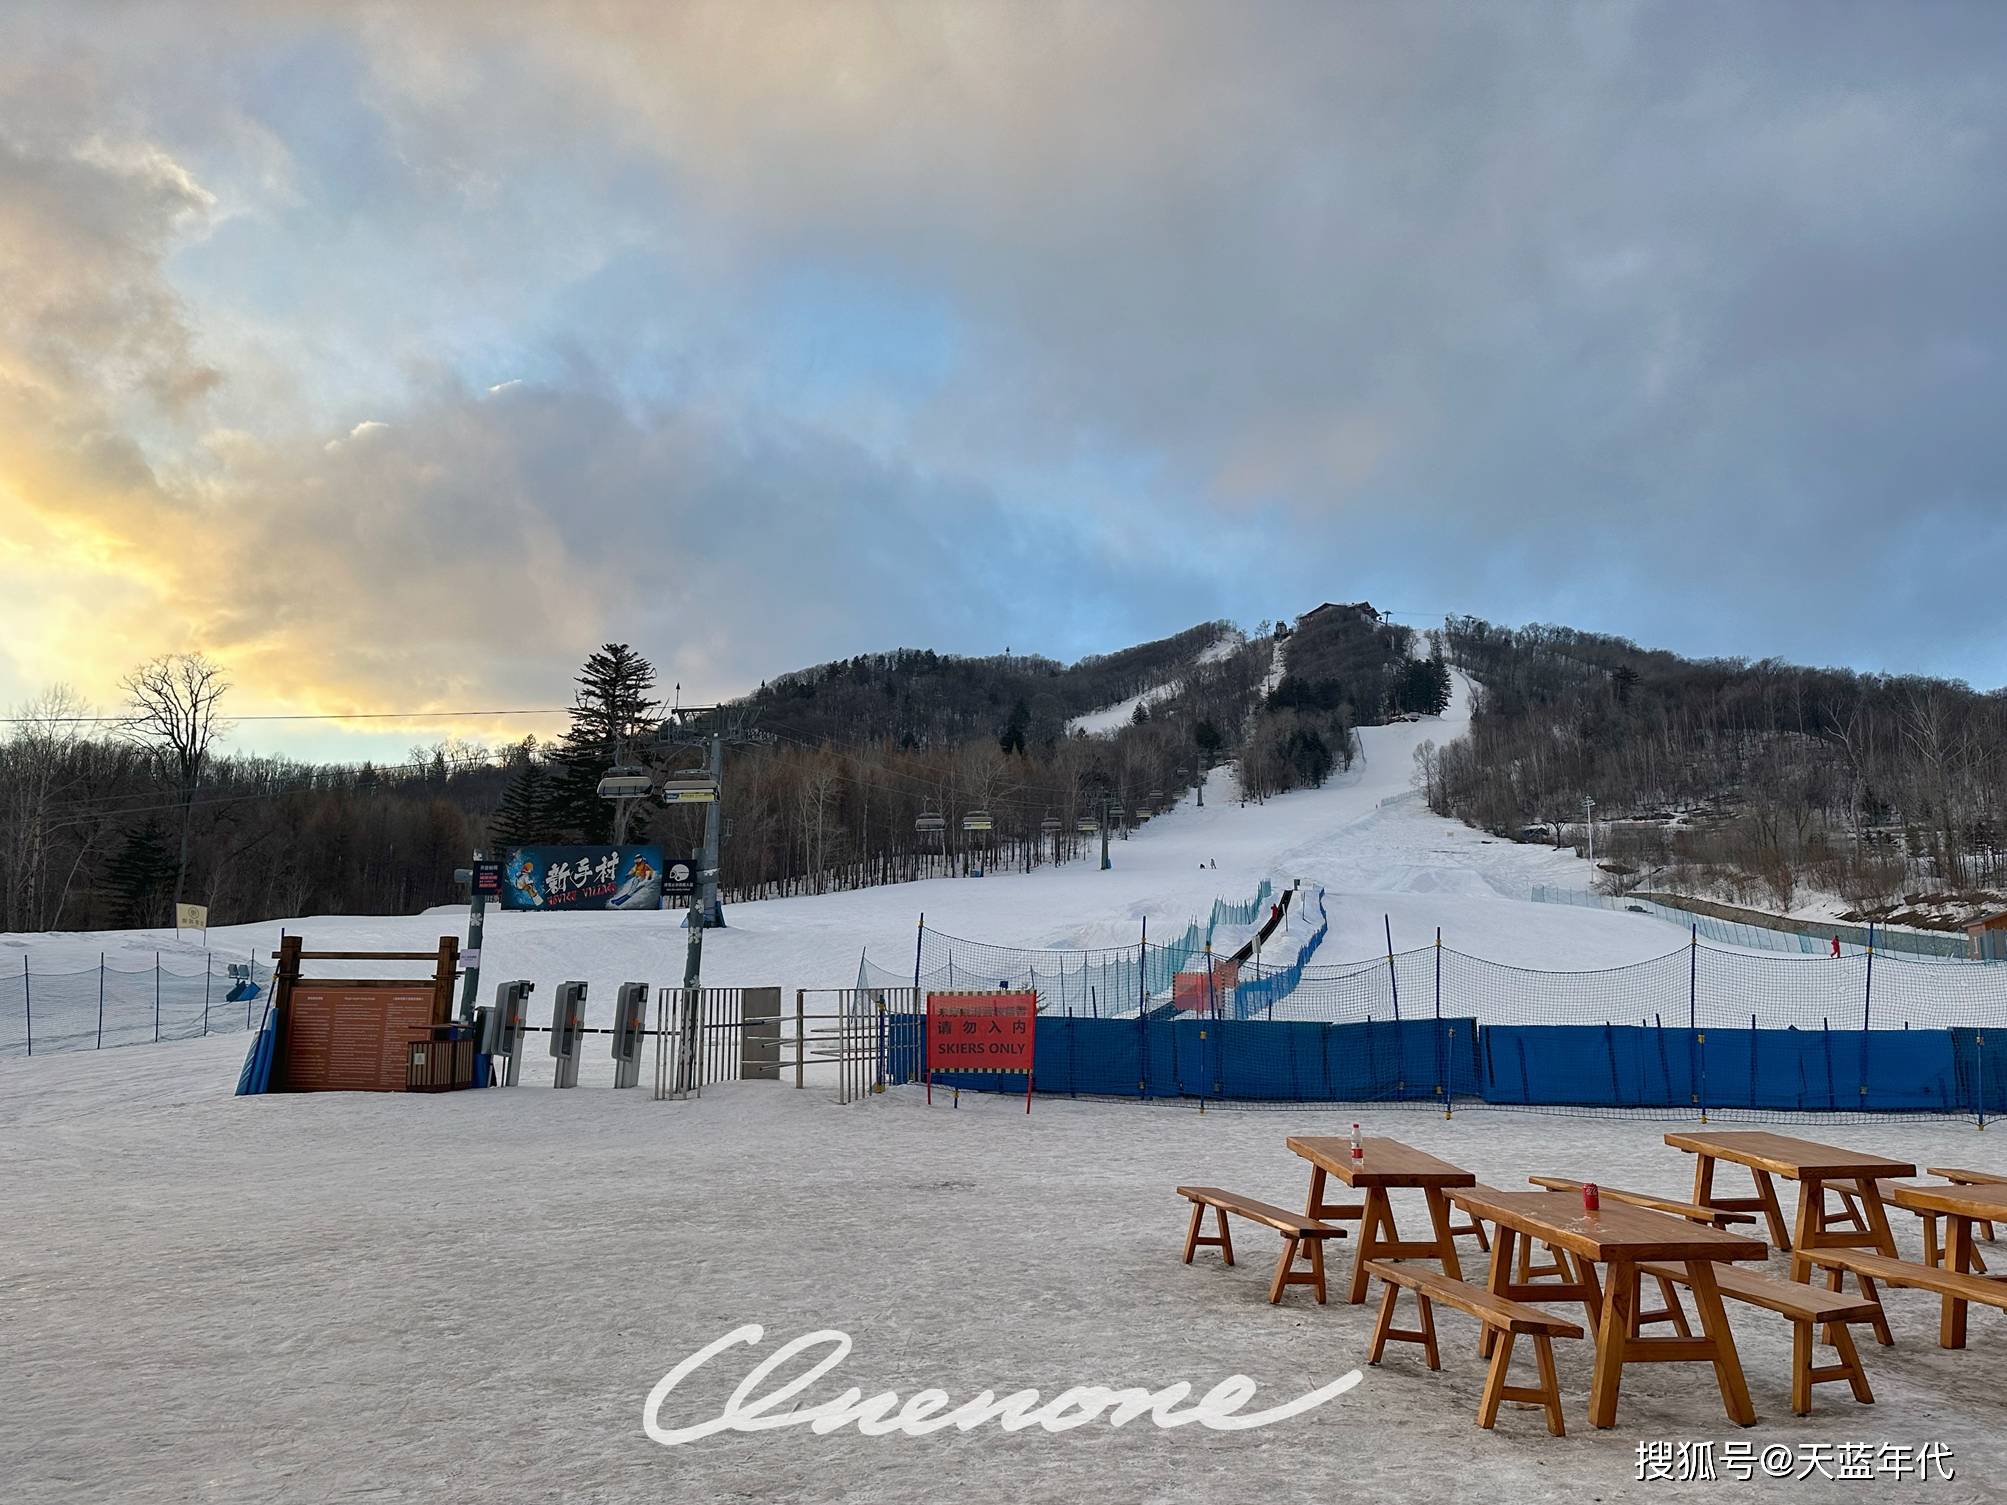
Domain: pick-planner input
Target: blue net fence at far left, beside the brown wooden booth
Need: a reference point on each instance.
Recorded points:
(180, 996)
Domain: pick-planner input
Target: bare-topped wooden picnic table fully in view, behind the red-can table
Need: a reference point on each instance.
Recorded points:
(1807, 1163)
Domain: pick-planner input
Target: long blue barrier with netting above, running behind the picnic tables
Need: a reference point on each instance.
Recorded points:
(1695, 1032)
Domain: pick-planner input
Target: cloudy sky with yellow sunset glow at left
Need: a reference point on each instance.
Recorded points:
(398, 356)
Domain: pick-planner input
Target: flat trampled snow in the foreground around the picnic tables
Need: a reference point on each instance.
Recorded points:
(398, 1297)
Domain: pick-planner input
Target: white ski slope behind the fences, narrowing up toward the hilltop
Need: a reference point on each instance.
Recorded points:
(1366, 838)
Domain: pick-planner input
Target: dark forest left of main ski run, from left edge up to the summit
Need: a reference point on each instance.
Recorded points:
(111, 820)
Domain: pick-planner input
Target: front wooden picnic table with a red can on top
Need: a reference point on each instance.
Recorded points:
(1621, 1237)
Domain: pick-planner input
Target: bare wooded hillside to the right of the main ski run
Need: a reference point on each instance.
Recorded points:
(1727, 778)
